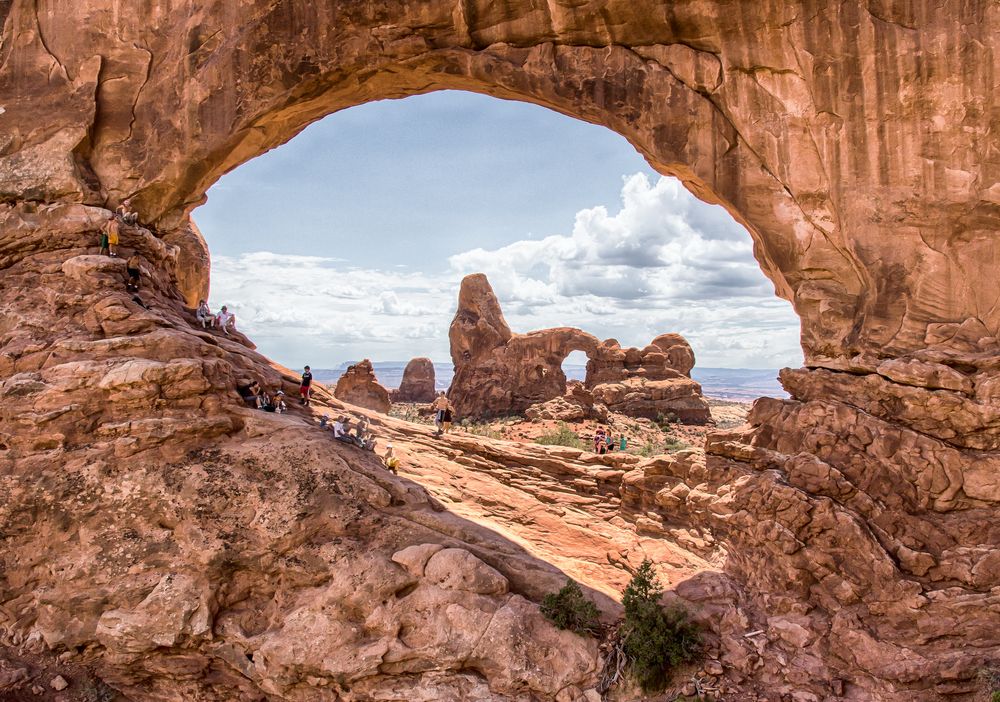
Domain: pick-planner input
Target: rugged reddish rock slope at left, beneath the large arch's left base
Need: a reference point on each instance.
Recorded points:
(179, 545)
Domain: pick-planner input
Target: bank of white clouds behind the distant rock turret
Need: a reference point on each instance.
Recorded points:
(664, 262)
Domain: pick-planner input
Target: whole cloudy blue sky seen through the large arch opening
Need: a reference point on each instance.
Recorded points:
(350, 240)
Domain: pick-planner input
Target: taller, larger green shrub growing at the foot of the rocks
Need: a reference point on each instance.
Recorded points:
(655, 640)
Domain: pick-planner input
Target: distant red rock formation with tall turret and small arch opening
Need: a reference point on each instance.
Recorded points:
(498, 372)
